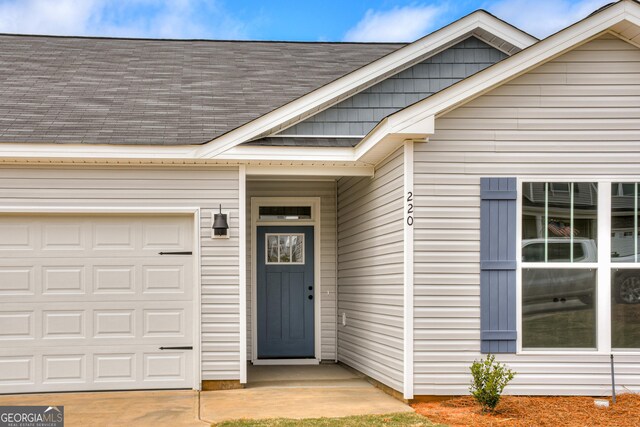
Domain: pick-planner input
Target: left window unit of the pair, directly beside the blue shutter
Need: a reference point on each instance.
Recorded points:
(559, 264)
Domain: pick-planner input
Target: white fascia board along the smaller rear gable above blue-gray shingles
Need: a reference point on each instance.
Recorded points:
(423, 47)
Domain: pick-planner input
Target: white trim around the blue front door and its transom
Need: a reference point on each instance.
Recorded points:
(314, 202)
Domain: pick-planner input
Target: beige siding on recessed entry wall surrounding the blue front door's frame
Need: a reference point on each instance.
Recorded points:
(326, 190)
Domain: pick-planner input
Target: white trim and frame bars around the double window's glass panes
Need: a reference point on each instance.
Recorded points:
(603, 266)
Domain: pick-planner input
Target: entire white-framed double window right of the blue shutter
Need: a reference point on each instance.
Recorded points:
(580, 290)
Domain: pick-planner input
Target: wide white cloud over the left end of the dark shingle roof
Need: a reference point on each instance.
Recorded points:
(121, 18)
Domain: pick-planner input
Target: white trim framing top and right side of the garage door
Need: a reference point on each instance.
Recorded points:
(195, 211)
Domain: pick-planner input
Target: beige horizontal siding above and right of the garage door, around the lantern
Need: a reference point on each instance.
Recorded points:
(146, 187)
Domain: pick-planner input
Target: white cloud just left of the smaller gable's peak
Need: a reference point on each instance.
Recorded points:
(398, 24)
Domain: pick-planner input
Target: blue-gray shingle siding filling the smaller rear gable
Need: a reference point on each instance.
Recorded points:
(357, 115)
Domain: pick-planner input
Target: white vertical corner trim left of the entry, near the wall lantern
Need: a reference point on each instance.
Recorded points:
(242, 273)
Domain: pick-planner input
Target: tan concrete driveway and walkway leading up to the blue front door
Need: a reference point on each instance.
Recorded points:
(273, 392)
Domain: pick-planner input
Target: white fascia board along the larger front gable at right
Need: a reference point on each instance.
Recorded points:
(513, 67)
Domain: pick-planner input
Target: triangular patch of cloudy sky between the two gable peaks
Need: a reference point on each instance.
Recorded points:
(544, 17)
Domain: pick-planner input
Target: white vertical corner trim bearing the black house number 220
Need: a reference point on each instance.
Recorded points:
(408, 217)
